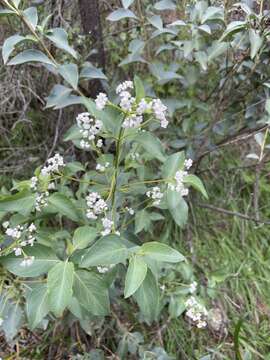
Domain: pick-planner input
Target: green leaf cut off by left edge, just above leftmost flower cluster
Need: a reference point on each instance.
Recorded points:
(22, 202)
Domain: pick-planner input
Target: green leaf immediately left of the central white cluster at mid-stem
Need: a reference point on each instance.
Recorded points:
(64, 206)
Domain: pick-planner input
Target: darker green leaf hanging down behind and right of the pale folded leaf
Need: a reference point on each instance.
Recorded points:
(147, 297)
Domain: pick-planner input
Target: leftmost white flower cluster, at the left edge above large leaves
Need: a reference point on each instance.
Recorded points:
(23, 235)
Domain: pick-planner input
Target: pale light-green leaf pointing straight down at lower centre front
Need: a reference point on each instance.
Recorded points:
(136, 273)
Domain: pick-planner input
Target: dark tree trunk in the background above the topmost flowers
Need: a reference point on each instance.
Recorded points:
(91, 24)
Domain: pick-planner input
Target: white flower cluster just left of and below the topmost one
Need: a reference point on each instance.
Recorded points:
(89, 128)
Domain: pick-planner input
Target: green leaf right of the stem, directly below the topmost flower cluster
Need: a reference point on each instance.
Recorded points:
(151, 144)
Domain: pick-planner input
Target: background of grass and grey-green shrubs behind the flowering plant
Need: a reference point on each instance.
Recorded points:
(212, 70)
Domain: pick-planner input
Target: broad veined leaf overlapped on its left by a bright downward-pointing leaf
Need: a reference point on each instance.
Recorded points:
(91, 292)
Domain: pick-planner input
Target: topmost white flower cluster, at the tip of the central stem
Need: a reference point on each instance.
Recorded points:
(135, 110)
